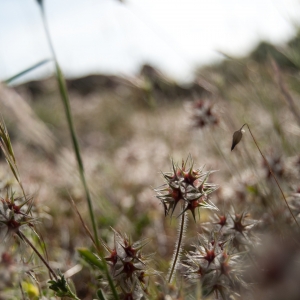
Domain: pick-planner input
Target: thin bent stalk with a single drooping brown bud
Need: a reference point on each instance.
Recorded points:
(237, 136)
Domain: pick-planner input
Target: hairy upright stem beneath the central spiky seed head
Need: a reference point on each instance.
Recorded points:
(178, 246)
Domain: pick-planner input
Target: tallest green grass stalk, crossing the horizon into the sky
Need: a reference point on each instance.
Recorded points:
(66, 102)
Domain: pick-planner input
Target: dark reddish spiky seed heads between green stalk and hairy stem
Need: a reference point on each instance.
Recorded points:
(129, 266)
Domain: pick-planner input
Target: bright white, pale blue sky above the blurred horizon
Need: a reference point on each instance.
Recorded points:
(118, 37)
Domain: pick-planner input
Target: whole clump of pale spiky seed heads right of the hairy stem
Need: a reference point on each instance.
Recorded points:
(220, 257)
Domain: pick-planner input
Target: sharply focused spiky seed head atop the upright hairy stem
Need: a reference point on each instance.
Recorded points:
(186, 185)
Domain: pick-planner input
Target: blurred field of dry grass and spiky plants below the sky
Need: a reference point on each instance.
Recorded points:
(131, 132)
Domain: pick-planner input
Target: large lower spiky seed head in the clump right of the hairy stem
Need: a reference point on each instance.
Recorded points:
(214, 264)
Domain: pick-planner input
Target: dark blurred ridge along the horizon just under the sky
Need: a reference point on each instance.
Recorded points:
(151, 80)
